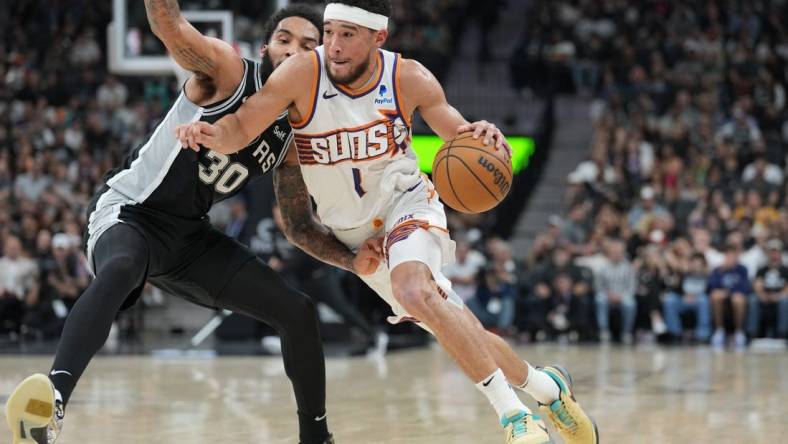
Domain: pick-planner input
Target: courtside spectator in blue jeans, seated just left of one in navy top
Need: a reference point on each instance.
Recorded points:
(689, 295)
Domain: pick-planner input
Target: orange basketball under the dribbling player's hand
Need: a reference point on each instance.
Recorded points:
(471, 177)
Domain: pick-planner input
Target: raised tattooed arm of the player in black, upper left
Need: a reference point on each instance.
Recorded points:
(205, 56)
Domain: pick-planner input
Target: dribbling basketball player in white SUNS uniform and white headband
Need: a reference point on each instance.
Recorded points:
(350, 104)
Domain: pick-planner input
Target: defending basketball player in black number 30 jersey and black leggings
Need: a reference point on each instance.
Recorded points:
(149, 223)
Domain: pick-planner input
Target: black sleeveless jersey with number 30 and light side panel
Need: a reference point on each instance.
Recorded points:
(161, 175)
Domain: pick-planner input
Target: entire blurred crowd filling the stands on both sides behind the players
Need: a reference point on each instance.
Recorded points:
(675, 228)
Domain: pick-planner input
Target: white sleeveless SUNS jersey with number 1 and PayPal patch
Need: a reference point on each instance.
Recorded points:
(355, 147)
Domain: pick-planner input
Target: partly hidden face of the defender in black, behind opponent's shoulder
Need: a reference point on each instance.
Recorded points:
(293, 35)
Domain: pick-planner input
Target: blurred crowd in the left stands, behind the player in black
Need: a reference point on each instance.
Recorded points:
(65, 121)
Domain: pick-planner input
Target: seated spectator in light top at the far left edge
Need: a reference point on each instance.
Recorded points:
(19, 285)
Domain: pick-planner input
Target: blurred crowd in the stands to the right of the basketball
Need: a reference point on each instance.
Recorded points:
(676, 225)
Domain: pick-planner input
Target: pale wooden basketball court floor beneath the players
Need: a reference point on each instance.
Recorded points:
(638, 396)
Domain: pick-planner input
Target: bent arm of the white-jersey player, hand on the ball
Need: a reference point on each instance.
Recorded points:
(424, 93)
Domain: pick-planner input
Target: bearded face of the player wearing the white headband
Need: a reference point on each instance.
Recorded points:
(349, 49)
